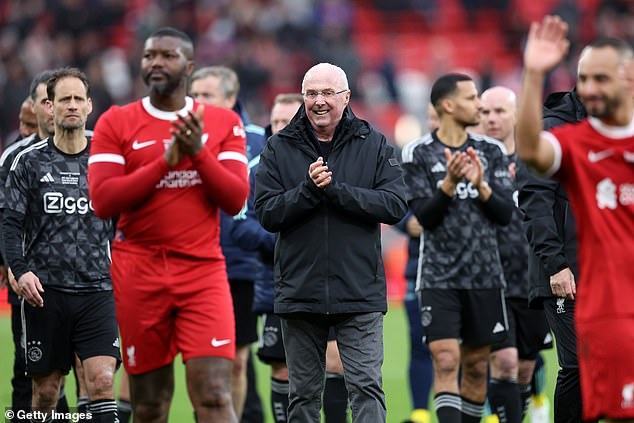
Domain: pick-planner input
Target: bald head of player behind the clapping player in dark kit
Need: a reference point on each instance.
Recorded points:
(499, 106)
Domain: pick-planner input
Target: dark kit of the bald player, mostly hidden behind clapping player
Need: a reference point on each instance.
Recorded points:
(528, 328)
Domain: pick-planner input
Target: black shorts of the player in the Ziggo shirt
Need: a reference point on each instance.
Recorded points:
(68, 324)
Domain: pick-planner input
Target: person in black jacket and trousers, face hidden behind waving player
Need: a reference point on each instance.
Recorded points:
(552, 235)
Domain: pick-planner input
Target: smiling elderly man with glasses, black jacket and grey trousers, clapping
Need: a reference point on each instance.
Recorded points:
(325, 183)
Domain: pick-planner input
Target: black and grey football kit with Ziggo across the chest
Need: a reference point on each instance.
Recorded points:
(50, 229)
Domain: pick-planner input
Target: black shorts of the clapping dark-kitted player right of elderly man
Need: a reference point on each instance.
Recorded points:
(474, 316)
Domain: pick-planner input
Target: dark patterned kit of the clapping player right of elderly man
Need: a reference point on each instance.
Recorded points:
(459, 249)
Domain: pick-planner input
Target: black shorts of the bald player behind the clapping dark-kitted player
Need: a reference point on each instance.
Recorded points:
(528, 330)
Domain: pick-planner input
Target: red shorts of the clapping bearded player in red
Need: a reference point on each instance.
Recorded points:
(168, 304)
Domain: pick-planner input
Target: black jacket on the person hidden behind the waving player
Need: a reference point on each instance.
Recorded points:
(548, 219)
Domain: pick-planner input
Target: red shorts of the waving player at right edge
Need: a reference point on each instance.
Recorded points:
(606, 366)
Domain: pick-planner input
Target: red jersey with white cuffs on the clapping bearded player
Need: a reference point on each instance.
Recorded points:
(175, 209)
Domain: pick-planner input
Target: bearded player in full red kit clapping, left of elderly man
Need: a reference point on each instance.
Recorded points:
(154, 163)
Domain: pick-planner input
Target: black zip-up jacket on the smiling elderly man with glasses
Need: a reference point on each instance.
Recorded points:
(328, 252)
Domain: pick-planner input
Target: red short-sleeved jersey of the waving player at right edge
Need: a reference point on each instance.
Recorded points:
(595, 163)
